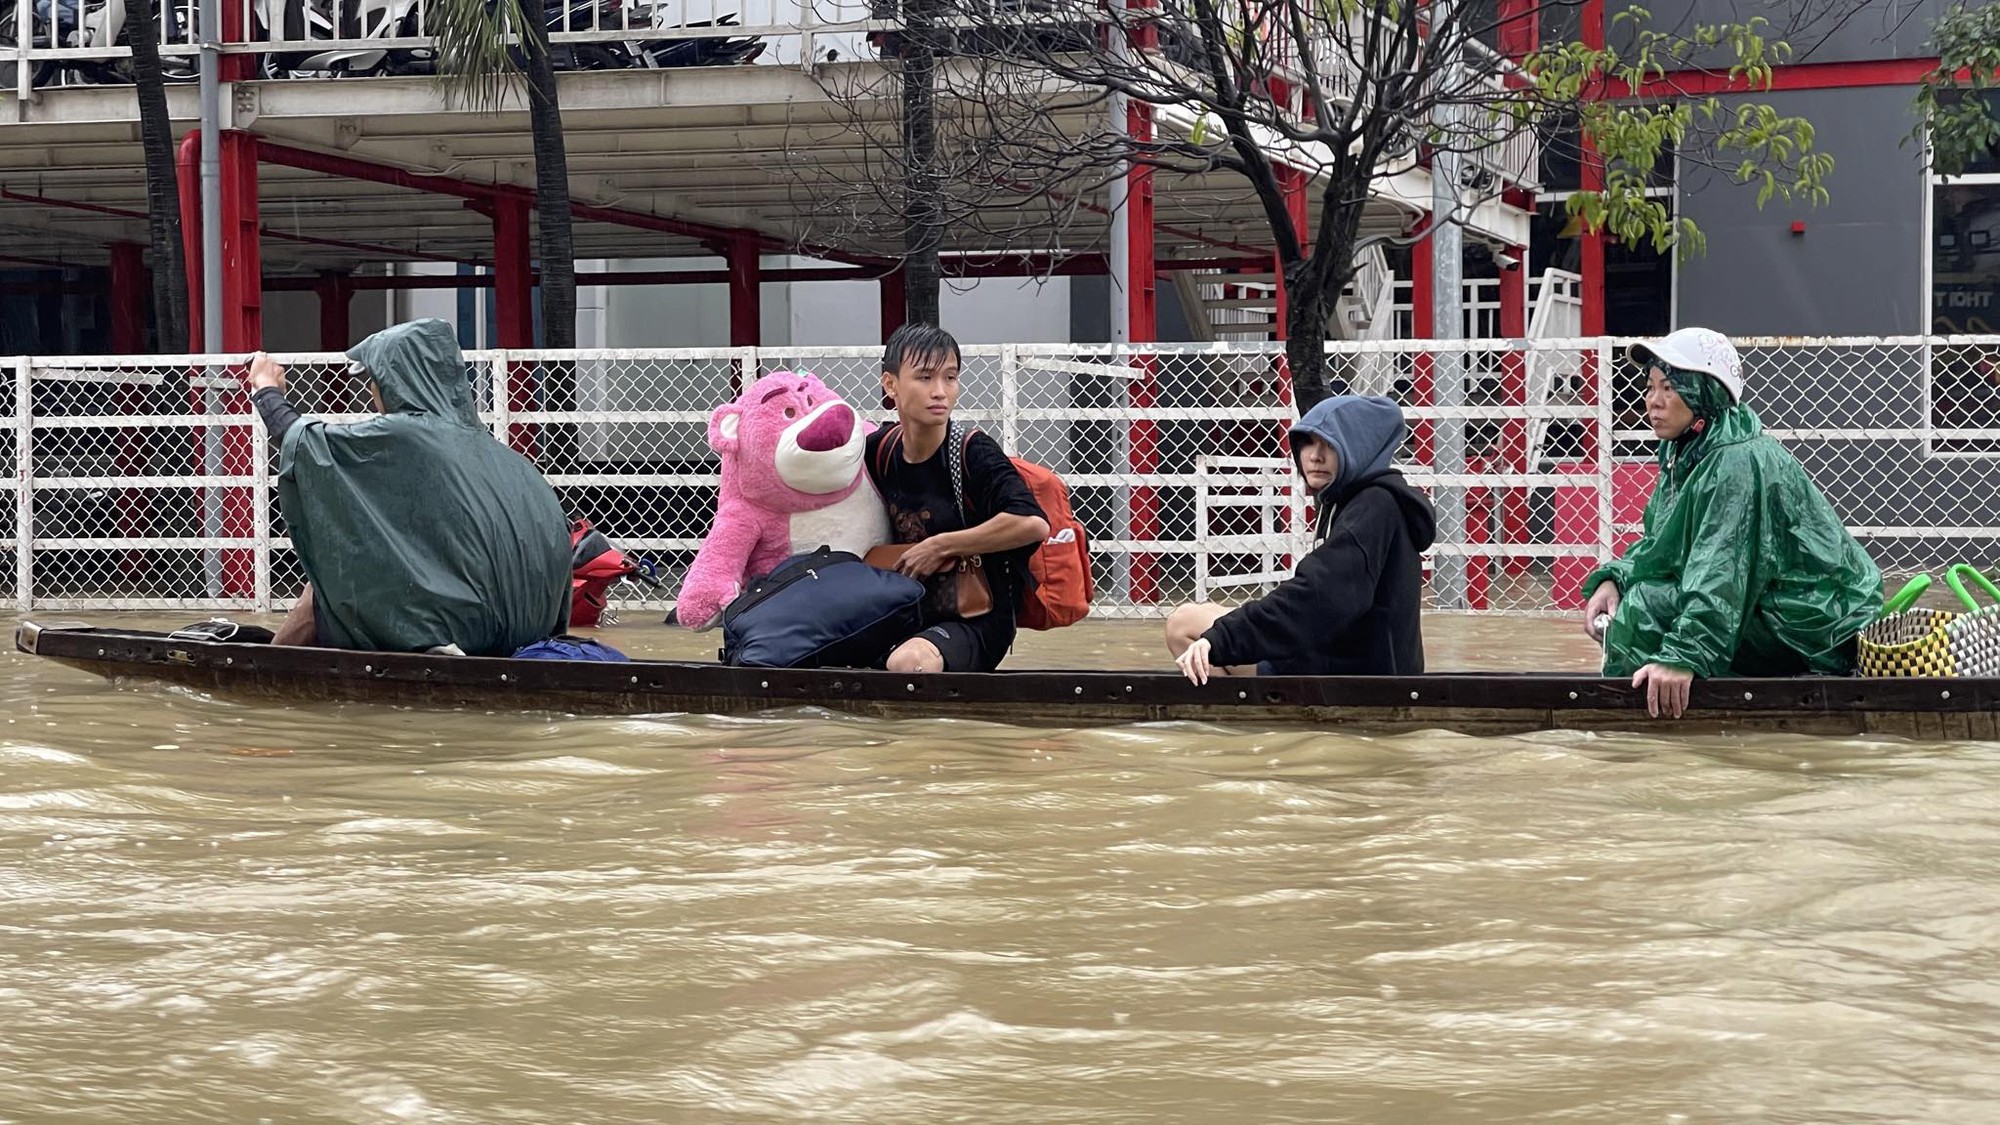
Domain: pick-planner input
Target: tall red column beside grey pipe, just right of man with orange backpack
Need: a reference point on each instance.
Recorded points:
(1143, 329)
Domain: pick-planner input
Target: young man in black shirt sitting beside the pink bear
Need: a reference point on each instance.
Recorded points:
(957, 499)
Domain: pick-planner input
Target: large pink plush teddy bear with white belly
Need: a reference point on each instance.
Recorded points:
(793, 479)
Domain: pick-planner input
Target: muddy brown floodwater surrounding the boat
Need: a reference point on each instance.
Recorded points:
(213, 912)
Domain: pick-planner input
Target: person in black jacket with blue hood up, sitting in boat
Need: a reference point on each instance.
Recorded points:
(1351, 608)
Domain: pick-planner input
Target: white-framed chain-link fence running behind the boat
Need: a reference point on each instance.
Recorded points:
(147, 481)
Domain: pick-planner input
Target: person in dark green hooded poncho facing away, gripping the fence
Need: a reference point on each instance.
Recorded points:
(417, 529)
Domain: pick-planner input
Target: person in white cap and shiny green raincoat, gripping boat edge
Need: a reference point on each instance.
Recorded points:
(1743, 570)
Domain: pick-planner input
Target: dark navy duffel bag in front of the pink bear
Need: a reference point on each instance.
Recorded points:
(823, 610)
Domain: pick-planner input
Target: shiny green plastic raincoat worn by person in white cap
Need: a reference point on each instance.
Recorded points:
(1743, 570)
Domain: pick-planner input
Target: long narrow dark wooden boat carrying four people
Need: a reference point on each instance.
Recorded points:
(1931, 710)
